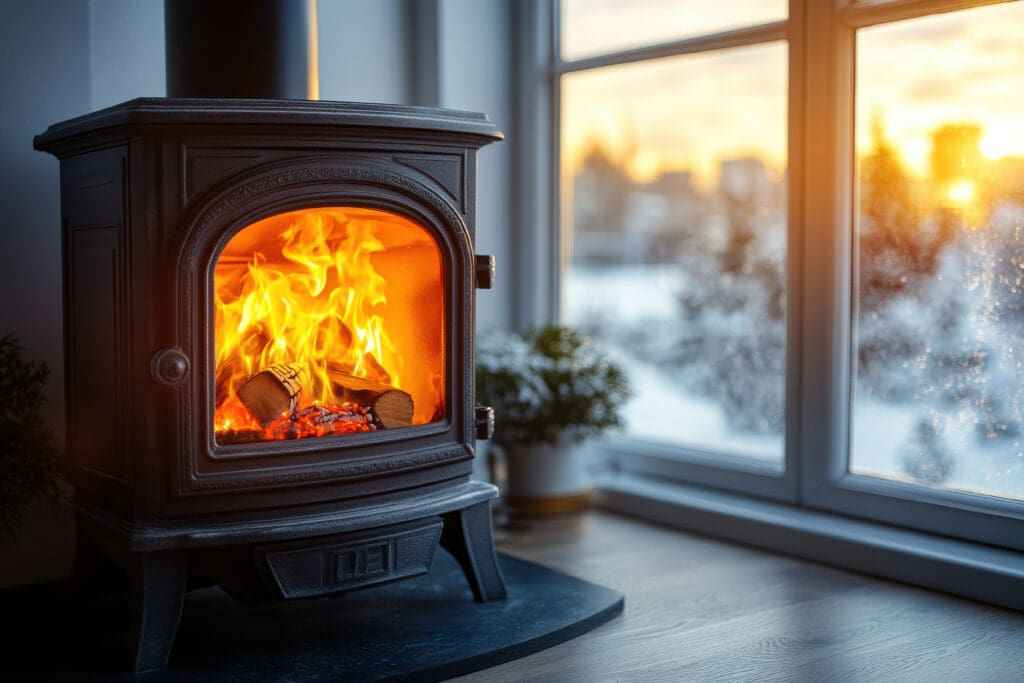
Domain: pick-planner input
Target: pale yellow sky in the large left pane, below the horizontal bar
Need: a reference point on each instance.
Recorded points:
(682, 113)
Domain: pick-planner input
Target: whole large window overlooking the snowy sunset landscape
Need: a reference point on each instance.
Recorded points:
(801, 229)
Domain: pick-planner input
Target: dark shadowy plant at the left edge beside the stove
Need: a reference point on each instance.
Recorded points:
(28, 449)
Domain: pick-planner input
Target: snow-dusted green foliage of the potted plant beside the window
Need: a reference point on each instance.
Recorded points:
(548, 383)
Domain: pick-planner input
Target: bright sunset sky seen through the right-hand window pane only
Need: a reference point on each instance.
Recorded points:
(960, 68)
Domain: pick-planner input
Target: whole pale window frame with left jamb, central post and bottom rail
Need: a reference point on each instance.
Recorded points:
(821, 321)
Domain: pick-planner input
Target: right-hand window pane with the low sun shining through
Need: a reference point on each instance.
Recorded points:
(940, 393)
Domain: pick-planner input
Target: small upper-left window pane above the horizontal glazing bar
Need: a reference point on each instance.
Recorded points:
(596, 27)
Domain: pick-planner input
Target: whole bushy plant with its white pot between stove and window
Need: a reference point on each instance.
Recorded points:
(552, 391)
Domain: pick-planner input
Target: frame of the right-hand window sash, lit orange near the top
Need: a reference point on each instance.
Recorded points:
(828, 286)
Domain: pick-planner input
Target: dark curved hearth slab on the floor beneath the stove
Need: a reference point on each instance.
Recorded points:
(423, 629)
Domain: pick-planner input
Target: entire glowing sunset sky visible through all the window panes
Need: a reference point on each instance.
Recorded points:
(693, 111)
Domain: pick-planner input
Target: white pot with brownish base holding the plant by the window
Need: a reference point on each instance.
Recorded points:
(548, 479)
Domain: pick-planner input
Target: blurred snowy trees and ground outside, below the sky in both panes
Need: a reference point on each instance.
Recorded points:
(696, 314)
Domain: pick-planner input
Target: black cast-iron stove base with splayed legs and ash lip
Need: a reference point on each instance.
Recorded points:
(266, 561)
